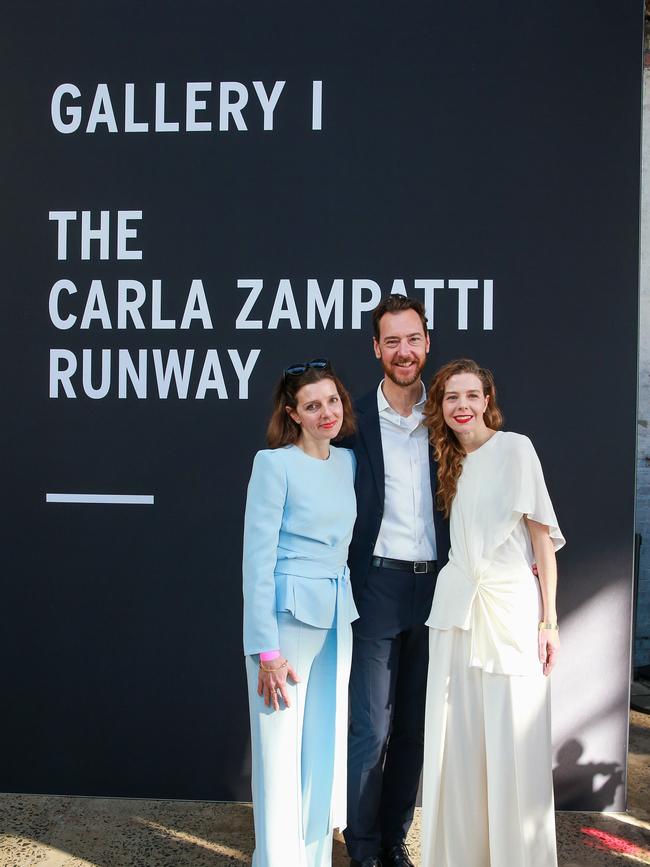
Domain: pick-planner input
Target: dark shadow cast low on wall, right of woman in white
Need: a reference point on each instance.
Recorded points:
(584, 785)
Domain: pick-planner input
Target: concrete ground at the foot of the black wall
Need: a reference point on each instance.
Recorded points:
(102, 832)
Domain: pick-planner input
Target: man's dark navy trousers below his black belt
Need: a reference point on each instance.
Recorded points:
(387, 702)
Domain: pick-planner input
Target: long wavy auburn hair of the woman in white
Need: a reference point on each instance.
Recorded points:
(448, 451)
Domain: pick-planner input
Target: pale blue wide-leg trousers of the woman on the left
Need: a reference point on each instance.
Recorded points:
(293, 753)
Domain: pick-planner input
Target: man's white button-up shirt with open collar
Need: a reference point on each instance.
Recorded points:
(406, 531)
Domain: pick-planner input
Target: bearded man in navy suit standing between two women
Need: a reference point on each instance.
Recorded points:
(400, 541)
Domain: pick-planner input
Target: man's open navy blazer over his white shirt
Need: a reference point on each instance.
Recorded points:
(369, 487)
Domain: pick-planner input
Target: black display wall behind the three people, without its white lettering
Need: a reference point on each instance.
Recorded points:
(495, 142)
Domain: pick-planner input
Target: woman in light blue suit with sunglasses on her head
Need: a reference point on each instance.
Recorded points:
(298, 607)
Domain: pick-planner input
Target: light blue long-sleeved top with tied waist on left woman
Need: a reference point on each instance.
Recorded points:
(300, 512)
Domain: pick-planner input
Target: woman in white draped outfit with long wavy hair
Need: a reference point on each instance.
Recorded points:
(488, 789)
